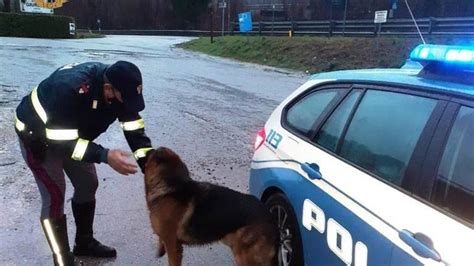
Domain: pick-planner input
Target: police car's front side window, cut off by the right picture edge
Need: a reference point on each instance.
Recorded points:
(454, 189)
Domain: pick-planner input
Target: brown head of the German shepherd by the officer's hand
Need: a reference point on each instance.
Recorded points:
(164, 164)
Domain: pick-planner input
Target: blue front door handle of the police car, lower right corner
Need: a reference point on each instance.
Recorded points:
(420, 243)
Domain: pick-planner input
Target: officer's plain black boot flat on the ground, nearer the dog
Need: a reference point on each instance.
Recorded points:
(86, 245)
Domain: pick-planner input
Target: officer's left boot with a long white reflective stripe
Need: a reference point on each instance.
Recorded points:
(56, 234)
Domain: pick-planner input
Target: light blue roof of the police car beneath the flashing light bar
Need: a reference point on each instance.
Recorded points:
(407, 75)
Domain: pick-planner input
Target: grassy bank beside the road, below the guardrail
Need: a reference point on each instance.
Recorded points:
(314, 54)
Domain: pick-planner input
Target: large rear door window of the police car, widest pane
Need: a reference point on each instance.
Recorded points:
(384, 132)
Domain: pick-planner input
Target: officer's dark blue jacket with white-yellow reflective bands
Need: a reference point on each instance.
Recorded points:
(75, 113)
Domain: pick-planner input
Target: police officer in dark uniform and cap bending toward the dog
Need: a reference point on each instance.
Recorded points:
(57, 123)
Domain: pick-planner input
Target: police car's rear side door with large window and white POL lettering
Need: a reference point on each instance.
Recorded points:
(354, 167)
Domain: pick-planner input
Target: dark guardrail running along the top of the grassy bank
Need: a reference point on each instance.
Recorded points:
(396, 27)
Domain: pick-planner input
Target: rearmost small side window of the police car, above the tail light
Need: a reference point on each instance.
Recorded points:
(303, 114)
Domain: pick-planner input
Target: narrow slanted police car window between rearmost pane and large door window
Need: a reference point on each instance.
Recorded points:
(331, 131)
